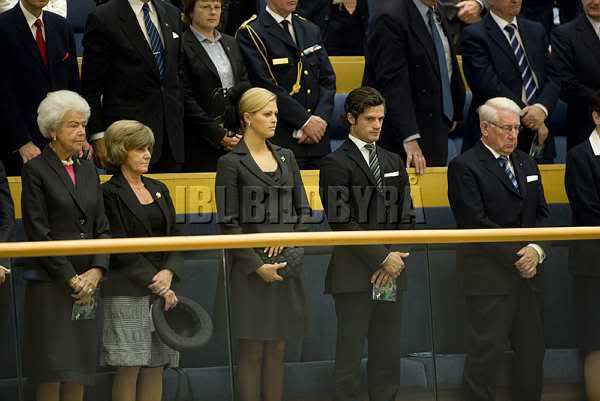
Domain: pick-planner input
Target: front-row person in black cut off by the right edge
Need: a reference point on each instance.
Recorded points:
(582, 183)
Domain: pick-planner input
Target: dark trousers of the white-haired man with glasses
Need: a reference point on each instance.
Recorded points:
(493, 324)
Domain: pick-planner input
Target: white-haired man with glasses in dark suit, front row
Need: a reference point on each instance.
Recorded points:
(494, 185)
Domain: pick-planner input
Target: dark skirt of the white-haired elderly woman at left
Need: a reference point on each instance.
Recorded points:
(57, 348)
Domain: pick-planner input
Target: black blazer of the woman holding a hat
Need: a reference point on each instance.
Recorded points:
(131, 273)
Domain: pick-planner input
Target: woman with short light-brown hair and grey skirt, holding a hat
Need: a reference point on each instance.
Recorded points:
(137, 206)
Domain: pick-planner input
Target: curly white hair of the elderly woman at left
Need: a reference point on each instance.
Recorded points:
(53, 108)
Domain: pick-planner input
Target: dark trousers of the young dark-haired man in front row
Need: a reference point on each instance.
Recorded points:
(360, 318)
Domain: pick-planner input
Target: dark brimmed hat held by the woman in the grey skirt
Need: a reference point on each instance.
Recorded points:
(183, 327)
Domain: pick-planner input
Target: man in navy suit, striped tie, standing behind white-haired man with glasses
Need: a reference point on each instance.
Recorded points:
(505, 55)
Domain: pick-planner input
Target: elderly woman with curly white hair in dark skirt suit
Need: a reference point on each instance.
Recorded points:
(62, 200)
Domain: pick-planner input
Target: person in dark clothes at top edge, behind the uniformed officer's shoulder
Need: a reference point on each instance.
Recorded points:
(343, 24)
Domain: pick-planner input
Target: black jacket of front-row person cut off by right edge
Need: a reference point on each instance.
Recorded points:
(582, 183)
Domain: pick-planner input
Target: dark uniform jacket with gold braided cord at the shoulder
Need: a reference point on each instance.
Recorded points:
(282, 59)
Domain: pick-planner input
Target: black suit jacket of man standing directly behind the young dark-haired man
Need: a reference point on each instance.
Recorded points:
(401, 63)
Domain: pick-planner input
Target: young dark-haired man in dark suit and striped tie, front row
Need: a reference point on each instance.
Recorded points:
(365, 187)
